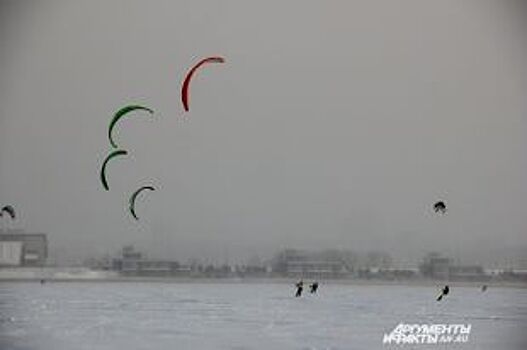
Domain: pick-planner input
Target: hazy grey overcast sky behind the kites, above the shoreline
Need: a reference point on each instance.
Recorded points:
(331, 125)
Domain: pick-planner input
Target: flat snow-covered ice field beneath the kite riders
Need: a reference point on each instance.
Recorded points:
(159, 316)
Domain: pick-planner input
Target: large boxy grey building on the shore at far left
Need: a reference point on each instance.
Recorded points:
(20, 249)
